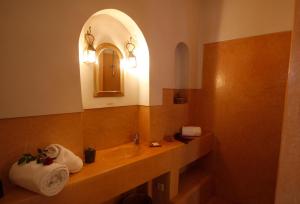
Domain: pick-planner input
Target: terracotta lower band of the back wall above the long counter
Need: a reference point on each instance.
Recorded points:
(99, 128)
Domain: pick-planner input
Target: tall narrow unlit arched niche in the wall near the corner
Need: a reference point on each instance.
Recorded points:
(181, 73)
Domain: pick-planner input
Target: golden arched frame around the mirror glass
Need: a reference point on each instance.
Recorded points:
(97, 92)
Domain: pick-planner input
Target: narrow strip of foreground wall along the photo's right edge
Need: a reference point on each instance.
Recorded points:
(288, 184)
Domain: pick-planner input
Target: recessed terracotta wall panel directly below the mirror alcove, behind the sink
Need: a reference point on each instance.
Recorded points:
(107, 127)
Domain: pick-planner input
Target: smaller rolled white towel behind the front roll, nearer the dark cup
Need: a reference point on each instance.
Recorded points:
(64, 156)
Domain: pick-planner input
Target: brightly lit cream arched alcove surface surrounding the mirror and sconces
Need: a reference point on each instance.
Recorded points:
(115, 27)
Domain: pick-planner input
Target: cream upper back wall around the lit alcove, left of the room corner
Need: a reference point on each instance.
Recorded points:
(39, 57)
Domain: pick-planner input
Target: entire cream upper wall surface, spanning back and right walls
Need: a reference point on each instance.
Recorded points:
(39, 66)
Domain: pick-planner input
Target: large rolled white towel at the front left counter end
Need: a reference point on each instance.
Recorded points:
(47, 180)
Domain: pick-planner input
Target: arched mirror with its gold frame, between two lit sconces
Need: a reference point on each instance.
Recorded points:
(109, 75)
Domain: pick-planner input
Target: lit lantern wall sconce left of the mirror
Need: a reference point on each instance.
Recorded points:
(89, 52)
